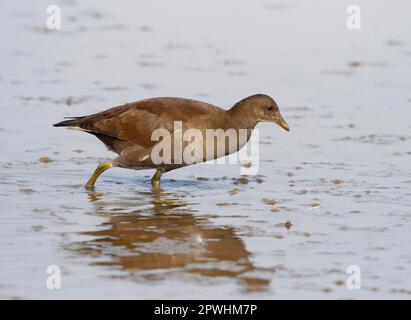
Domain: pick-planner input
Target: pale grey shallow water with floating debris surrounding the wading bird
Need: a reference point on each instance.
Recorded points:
(332, 193)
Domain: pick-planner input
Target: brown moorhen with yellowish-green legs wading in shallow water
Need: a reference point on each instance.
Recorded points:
(130, 130)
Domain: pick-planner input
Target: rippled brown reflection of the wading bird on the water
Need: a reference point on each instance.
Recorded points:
(160, 232)
